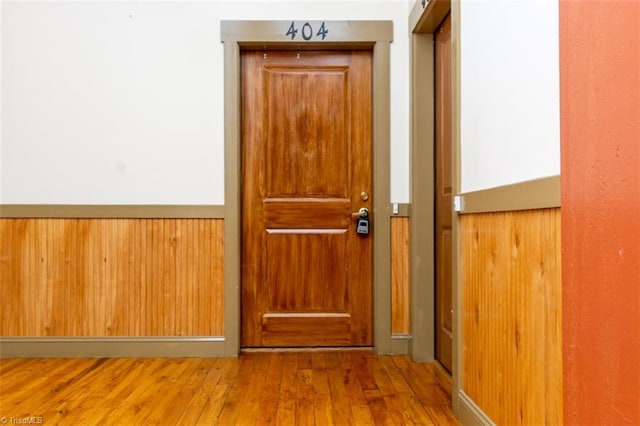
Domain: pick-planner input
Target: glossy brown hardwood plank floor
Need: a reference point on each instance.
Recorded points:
(257, 388)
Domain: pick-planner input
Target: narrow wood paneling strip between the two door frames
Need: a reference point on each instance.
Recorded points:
(400, 275)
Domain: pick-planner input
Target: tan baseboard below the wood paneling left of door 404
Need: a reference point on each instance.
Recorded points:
(112, 347)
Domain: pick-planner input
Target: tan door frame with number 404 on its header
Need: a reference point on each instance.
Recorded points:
(374, 35)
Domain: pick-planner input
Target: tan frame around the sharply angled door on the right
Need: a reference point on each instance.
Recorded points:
(424, 20)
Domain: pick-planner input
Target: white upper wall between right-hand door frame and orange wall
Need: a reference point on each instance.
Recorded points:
(510, 92)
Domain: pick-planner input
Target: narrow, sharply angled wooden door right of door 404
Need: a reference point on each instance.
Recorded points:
(443, 191)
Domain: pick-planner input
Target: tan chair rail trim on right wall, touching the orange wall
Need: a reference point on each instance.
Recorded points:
(529, 195)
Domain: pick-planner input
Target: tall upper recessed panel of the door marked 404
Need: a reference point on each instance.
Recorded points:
(305, 141)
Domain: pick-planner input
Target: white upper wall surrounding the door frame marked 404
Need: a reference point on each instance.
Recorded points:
(122, 102)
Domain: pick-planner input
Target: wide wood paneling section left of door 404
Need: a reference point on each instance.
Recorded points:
(111, 277)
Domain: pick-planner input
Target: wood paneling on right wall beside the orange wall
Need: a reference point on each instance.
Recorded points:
(511, 289)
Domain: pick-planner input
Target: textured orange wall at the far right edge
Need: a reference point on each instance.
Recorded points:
(600, 130)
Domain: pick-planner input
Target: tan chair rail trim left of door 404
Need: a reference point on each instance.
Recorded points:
(111, 211)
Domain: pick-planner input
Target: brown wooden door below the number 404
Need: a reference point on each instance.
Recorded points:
(306, 153)
